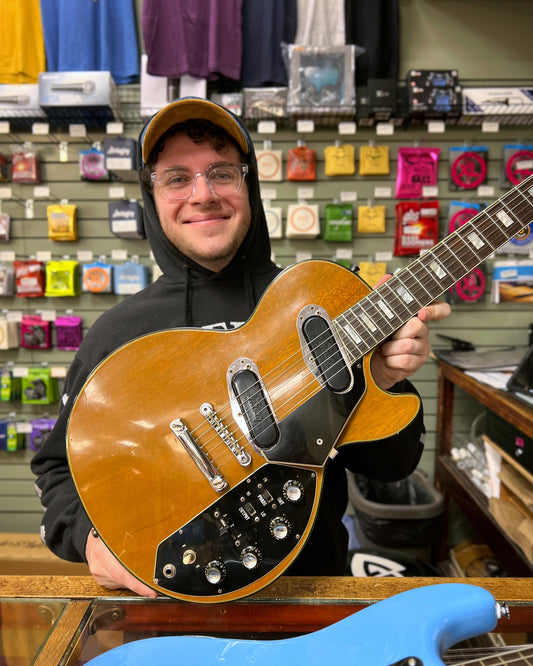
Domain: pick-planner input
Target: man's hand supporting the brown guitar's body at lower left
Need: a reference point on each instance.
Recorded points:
(108, 571)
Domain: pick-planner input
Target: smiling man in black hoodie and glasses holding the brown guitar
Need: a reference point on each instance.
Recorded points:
(207, 229)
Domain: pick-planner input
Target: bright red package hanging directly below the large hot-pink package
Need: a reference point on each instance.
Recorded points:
(417, 226)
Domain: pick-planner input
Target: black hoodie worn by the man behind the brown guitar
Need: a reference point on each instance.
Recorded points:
(188, 295)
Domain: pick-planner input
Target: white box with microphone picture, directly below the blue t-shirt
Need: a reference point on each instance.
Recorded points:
(88, 97)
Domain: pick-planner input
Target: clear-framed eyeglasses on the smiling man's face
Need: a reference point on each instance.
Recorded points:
(178, 183)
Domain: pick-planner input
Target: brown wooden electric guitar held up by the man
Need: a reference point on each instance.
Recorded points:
(199, 455)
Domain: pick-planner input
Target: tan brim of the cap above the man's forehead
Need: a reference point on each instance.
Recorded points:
(191, 108)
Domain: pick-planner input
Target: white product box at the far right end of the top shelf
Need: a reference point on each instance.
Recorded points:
(508, 105)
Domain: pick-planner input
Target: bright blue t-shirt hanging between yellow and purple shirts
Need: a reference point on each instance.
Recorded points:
(91, 35)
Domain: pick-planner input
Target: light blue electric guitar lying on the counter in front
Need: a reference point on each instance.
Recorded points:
(413, 628)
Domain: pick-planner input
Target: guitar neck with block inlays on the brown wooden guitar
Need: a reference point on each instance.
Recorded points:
(372, 319)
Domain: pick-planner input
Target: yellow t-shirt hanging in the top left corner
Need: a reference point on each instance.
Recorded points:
(22, 55)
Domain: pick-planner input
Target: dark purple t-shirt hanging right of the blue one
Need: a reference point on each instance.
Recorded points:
(201, 39)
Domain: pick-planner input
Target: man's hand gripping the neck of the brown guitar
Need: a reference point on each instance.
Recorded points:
(406, 351)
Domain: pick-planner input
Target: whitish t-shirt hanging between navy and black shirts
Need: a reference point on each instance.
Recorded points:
(320, 23)
